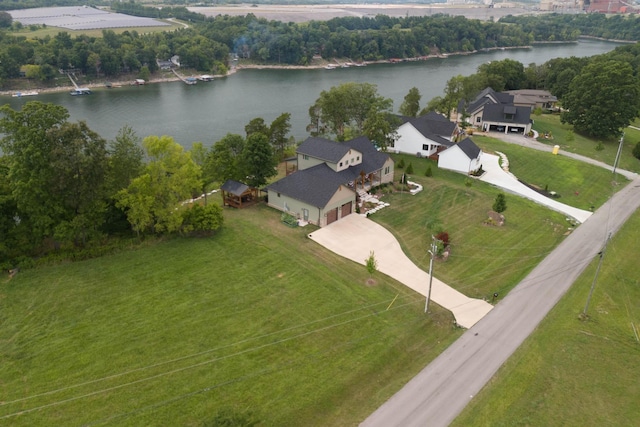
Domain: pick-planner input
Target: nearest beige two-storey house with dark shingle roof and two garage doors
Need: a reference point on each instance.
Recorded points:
(322, 190)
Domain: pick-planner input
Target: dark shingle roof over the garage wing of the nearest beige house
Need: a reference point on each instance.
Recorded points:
(314, 186)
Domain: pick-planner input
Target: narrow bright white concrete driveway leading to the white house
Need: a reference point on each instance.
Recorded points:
(497, 176)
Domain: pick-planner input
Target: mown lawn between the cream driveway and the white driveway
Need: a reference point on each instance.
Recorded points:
(484, 259)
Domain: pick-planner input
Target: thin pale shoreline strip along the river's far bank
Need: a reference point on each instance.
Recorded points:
(239, 67)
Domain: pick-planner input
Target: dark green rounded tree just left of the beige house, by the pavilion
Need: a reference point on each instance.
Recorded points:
(258, 161)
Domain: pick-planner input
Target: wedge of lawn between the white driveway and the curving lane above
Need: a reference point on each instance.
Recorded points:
(577, 183)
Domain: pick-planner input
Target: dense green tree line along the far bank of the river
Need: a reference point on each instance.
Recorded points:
(207, 44)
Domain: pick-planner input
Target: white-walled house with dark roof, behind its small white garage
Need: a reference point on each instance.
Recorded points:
(426, 135)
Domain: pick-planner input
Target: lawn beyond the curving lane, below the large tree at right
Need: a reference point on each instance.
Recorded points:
(587, 146)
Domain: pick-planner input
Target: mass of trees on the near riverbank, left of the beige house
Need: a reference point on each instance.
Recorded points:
(66, 190)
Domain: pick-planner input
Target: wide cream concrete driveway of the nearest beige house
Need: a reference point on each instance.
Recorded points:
(354, 237)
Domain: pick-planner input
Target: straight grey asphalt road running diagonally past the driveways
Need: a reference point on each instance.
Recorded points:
(441, 391)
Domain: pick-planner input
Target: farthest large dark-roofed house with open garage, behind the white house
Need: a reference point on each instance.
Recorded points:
(493, 111)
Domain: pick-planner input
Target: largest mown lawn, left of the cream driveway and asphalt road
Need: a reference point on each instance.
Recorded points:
(257, 320)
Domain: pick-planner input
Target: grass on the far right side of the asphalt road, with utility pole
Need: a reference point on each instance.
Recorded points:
(572, 372)
